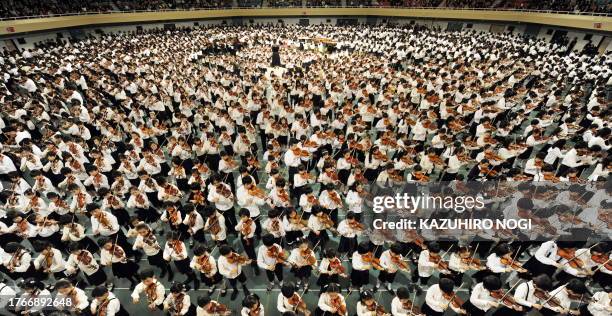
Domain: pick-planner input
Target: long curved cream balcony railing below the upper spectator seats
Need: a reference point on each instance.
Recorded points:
(272, 8)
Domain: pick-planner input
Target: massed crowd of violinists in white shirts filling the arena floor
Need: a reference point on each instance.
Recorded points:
(184, 149)
